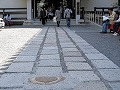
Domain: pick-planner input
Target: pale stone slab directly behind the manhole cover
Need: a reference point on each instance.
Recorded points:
(49, 71)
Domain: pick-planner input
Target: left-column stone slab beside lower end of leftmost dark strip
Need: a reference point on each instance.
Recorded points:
(24, 67)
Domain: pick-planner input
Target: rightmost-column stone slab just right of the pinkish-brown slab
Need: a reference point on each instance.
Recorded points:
(96, 56)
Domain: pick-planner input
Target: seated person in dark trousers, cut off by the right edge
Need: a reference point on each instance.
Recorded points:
(116, 24)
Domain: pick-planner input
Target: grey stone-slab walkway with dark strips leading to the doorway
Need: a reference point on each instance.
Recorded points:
(59, 52)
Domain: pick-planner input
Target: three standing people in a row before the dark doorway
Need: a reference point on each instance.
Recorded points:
(58, 16)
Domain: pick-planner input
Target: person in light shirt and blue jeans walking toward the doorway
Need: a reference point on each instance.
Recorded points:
(67, 15)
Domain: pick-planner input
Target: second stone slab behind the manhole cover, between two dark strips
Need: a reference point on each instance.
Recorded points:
(52, 63)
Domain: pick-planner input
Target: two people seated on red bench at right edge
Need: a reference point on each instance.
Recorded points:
(113, 19)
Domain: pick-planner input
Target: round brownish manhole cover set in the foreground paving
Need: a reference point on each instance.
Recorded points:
(46, 80)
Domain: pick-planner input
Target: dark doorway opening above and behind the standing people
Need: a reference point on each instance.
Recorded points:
(37, 4)
